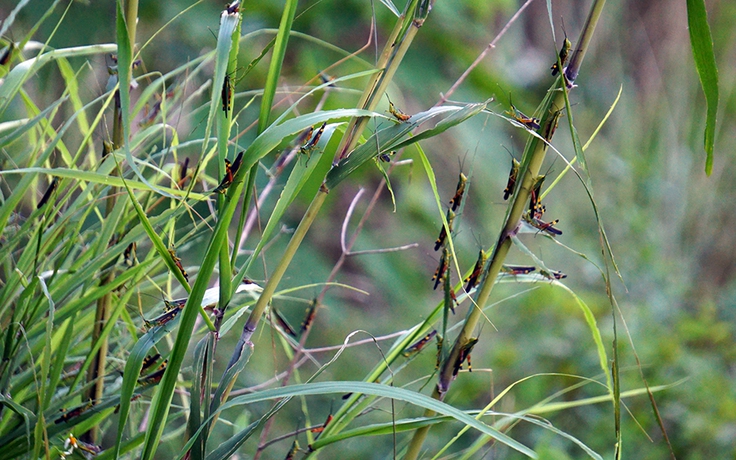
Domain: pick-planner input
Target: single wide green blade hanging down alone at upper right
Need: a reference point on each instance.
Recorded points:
(705, 63)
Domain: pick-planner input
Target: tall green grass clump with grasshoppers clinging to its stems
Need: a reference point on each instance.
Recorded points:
(151, 224)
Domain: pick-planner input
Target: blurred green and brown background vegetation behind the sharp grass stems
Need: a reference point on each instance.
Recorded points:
(670, 226)
